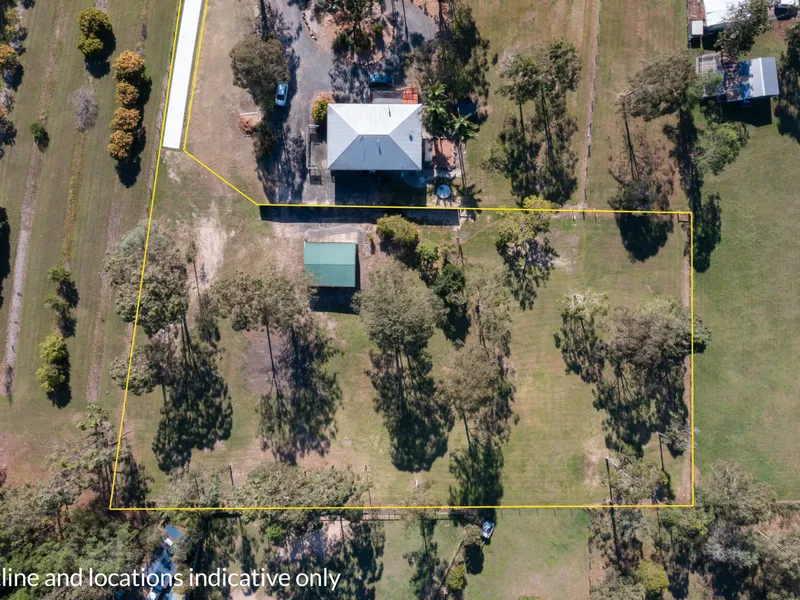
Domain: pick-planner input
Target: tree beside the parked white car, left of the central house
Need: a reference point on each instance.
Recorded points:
(259, 66)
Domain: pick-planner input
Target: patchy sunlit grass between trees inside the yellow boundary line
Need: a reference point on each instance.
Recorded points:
(555, 451)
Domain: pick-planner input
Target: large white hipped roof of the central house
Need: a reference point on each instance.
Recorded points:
(375, 137)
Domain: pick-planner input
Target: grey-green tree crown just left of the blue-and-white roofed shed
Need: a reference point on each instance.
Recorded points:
(660, 87)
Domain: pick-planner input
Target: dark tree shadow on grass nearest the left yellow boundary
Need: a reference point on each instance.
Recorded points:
(197, 411)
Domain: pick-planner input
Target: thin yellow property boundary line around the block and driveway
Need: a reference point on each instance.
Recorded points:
(371, 207)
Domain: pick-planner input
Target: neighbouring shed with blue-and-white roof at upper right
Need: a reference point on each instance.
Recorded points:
(742, 80)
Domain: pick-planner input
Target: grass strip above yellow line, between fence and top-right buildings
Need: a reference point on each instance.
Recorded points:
(630, 33)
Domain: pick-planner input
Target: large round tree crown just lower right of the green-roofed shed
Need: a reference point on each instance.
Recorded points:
(398, 311)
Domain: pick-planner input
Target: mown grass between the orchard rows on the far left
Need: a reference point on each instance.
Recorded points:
(30, 425)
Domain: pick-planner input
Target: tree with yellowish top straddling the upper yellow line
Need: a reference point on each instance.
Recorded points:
(527, 254)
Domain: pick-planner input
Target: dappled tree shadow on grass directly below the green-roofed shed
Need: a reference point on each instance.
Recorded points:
(302, 421)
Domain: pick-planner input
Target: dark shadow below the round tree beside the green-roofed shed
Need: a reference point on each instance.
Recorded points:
(418, 421)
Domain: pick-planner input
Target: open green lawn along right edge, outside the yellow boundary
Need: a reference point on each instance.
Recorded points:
(747, 383)
